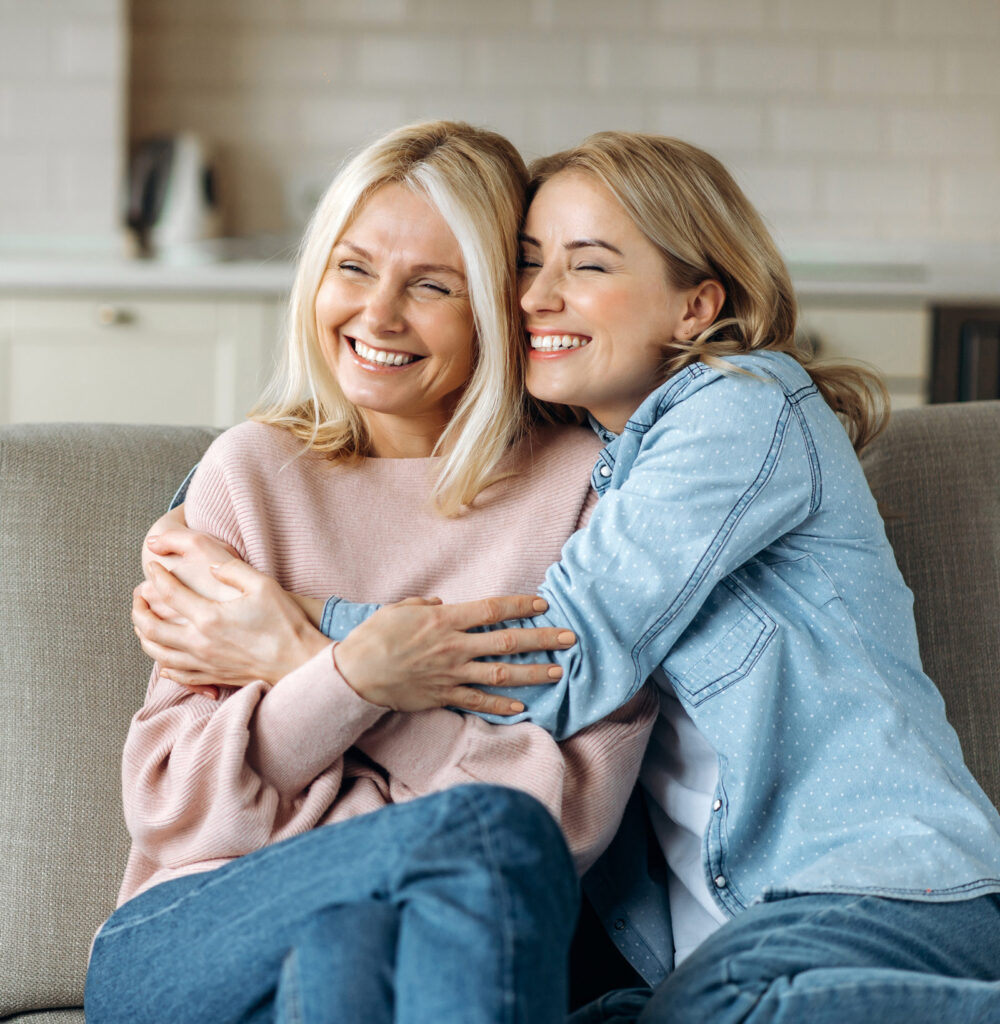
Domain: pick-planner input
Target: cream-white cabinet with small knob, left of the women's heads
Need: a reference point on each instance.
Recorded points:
(135, 359)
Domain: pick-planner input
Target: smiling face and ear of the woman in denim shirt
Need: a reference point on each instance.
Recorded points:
(599, 309)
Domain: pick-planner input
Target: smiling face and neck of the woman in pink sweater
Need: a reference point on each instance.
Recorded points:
(395, 320)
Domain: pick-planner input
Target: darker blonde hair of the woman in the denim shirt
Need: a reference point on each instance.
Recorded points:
(688, 206)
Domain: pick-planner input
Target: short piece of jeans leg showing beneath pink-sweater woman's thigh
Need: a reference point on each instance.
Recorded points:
(327, 980)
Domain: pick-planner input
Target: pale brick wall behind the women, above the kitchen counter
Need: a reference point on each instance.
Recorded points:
(857, 119)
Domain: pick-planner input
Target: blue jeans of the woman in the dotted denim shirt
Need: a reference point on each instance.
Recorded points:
(831, 960)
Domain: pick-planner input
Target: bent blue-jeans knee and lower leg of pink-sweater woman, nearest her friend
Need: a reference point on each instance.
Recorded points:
(490, 905)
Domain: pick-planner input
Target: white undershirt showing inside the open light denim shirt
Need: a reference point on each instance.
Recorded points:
(680, 775)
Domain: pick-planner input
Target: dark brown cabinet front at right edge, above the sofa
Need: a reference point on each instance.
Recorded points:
(966, 354)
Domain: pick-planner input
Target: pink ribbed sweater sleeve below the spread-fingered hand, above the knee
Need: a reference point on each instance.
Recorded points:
(585, 782)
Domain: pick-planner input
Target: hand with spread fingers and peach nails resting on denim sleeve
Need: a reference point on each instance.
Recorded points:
(417, 655)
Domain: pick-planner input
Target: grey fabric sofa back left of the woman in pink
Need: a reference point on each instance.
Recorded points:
(75, 502)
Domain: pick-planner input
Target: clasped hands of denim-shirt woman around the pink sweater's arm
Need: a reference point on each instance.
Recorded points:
(227, 624)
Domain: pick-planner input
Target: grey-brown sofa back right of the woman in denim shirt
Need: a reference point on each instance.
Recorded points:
(936, 474)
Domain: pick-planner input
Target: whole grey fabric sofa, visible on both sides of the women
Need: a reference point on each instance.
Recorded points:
(75, 502)
